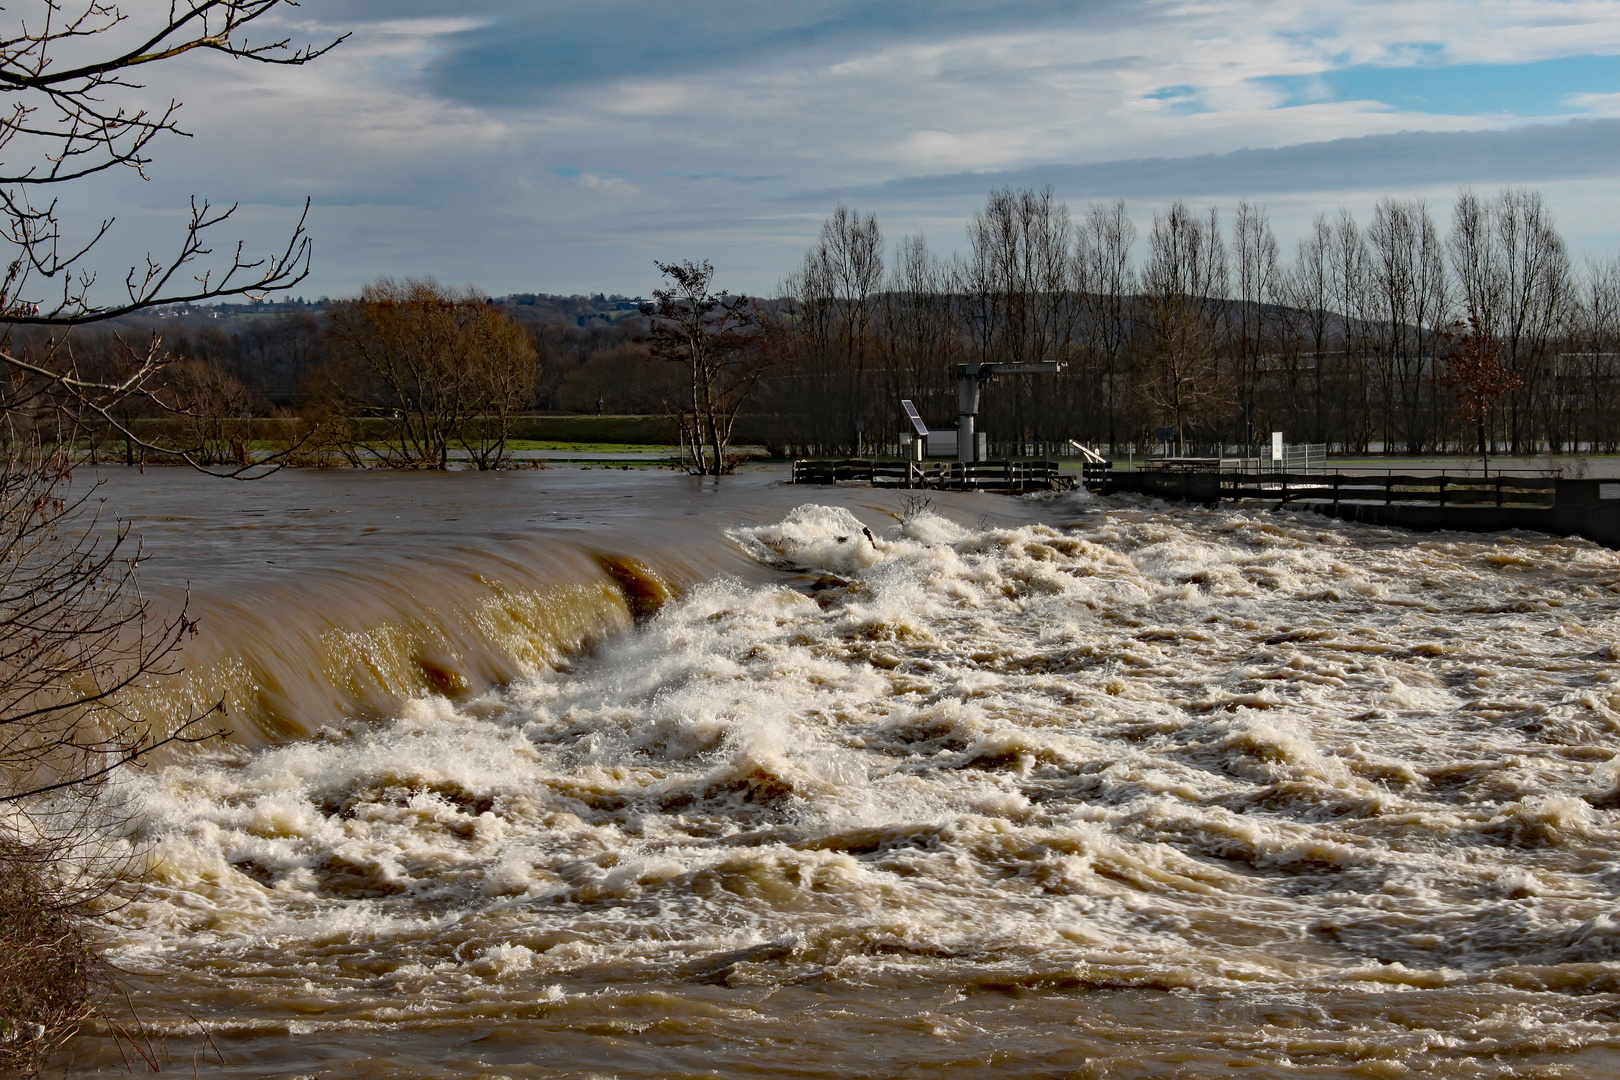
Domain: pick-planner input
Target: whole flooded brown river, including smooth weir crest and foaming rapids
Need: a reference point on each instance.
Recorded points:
(620, 775)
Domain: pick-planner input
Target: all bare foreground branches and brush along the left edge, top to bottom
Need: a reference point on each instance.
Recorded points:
(79, 642)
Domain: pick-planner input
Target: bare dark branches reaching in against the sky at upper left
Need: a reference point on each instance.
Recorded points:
(74, 111)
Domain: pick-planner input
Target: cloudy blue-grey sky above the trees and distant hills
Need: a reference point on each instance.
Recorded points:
(547, 147)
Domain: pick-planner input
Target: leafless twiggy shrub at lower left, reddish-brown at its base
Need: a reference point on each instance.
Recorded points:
(82, 655)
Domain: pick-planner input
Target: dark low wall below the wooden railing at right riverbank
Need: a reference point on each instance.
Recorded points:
(1582, 508)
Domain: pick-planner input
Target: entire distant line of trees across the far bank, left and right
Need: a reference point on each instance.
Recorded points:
(1201, 331)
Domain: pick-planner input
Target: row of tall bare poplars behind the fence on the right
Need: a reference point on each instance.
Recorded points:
(1204, 333)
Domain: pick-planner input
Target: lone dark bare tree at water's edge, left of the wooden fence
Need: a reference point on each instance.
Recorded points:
(717, 339)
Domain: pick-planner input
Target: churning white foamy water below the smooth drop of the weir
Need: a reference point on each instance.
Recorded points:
(1195, 752)
